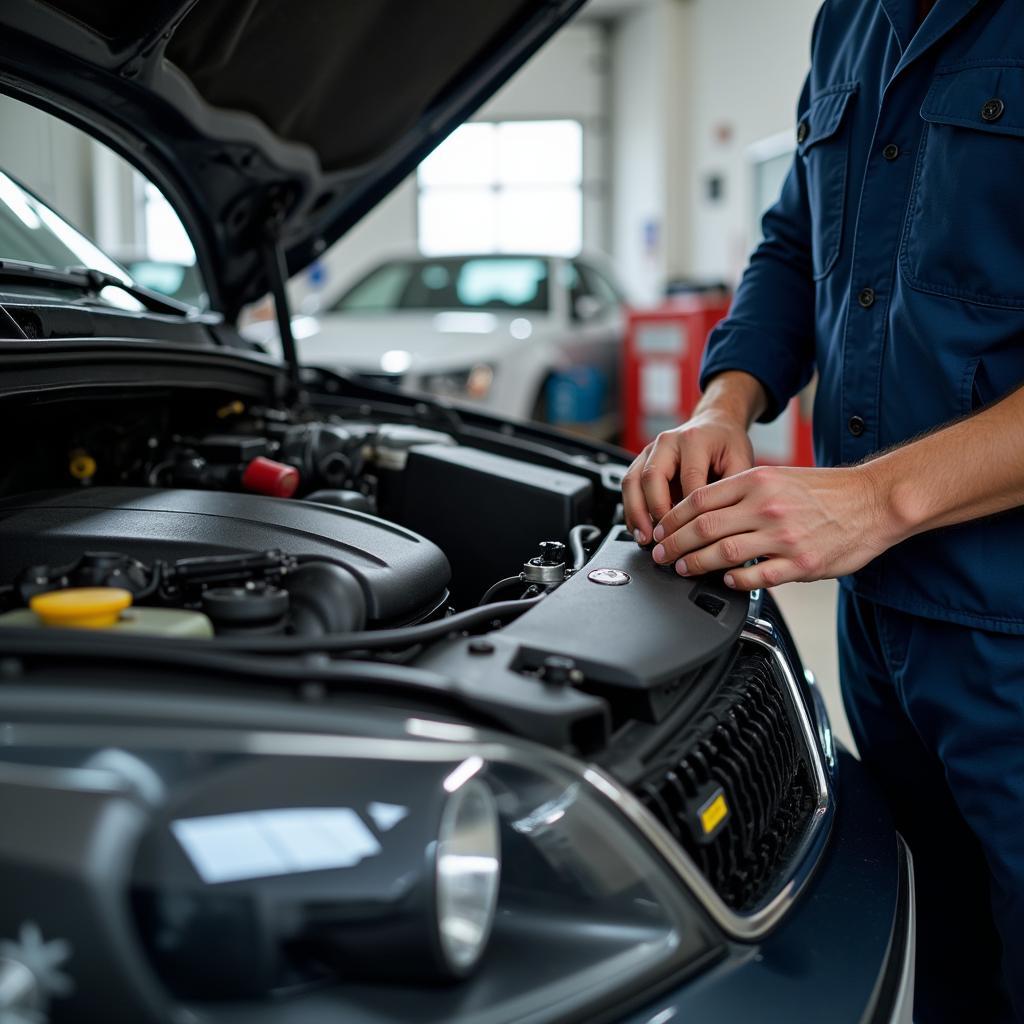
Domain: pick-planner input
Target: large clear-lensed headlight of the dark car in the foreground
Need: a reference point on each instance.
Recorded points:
(388, 878)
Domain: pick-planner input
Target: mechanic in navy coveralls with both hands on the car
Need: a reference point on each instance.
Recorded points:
(893, 264)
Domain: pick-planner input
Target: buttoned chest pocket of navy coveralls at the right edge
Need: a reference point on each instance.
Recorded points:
(964, 236)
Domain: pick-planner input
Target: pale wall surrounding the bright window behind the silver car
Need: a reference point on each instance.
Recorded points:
(567, 79)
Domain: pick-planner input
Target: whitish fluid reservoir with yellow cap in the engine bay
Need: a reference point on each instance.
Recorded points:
(105, 609)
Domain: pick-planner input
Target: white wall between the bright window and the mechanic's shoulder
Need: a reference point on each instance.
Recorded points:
(695, 83)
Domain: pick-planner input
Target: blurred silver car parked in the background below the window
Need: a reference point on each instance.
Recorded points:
(530, 336)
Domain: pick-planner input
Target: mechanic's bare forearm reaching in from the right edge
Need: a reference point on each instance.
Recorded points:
(970, 470)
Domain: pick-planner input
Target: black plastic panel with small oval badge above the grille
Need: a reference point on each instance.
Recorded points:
(642, 649)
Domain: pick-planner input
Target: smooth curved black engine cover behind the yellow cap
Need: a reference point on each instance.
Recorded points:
(403, 575)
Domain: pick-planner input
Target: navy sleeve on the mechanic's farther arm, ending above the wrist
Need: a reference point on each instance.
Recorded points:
(770, 332)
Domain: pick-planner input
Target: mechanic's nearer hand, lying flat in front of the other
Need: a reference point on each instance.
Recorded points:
(808, 524)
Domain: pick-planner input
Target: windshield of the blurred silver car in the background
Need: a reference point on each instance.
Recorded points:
(514, 283)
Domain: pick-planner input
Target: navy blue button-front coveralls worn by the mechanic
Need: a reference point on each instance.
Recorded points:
(893, 263)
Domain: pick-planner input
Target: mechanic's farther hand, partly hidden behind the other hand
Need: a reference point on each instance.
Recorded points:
(714, 444)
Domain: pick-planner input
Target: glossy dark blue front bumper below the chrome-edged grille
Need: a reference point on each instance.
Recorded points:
(843, 956)
